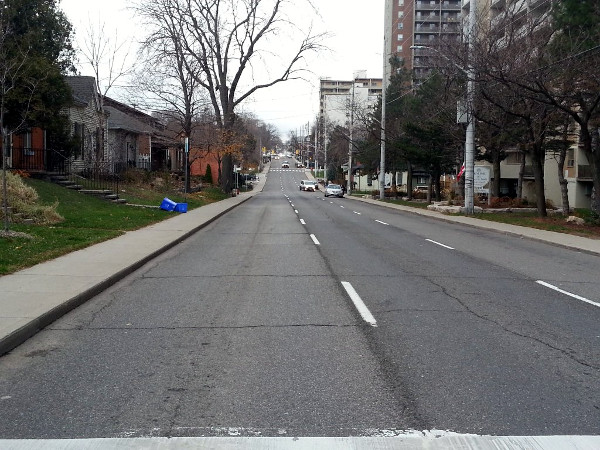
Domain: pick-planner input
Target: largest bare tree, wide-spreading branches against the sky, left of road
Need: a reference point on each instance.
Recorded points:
(225, 38)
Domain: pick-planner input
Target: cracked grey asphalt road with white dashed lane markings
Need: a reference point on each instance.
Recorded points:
(299, 315)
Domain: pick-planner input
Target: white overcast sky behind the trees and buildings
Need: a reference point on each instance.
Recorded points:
(356, 44)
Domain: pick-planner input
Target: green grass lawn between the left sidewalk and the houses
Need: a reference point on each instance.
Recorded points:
(88, 220)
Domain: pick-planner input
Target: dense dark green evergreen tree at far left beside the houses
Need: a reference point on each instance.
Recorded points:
(35, 53)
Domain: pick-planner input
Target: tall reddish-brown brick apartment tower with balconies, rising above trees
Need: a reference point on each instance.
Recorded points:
(420, 23)
